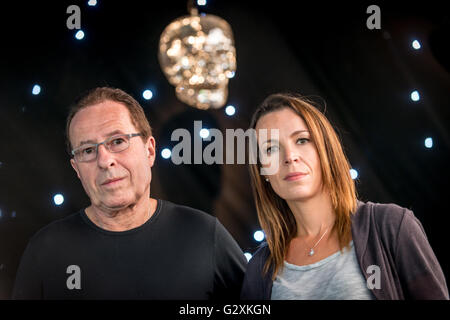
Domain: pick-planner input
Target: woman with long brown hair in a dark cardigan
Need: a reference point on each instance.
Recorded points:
(322, 243)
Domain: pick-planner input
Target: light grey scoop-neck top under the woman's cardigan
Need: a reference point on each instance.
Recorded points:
(337, 277)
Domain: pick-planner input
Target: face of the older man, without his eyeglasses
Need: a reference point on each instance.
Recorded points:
(113, 181)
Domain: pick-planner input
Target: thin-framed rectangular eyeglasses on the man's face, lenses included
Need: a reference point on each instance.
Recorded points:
(88, 152)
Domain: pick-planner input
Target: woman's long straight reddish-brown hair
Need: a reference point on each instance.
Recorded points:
(274, 214)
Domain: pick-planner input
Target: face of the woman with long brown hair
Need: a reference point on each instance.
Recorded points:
(299, 175)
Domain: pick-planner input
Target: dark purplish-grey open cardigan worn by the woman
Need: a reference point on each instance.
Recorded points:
(385, 235)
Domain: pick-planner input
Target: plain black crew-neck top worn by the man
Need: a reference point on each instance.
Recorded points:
(179, 253)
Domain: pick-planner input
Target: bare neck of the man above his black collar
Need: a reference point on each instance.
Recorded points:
(124, 219)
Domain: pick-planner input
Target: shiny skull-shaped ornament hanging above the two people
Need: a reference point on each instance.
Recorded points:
(198, 57)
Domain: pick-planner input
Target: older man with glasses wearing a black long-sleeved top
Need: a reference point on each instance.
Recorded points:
(125, 245)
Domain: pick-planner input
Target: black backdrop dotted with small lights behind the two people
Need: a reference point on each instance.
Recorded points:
(322, 49)
